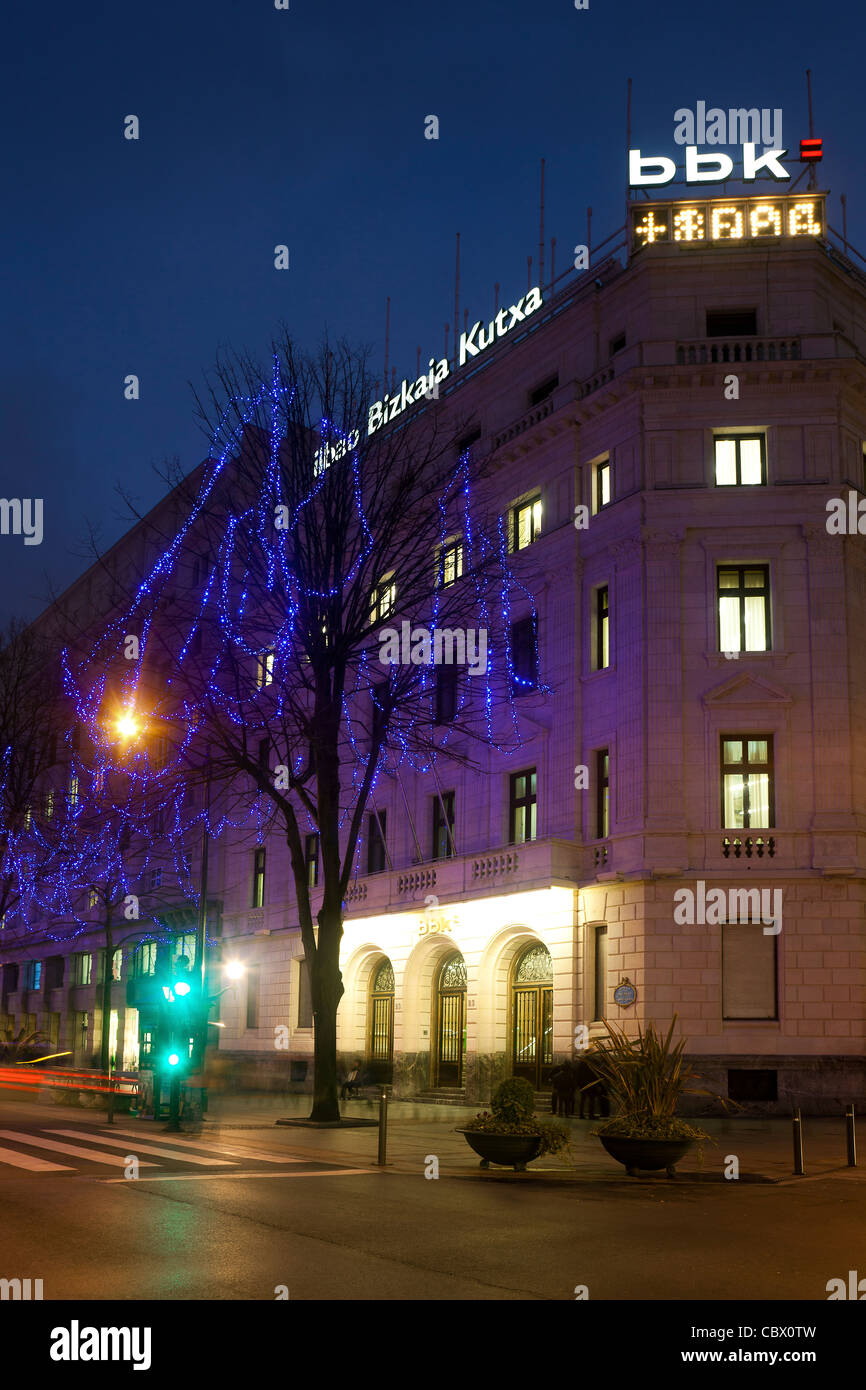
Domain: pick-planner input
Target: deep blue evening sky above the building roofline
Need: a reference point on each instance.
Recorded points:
(307, 127)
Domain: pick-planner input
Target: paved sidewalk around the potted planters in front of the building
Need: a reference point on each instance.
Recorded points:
(418, 1134)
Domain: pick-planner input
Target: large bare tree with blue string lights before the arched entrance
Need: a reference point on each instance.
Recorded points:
(300, 616)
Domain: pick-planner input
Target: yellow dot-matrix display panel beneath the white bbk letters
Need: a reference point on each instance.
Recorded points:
(724, 220)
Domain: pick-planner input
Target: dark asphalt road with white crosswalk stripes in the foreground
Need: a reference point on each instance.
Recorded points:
(237, 1216)
